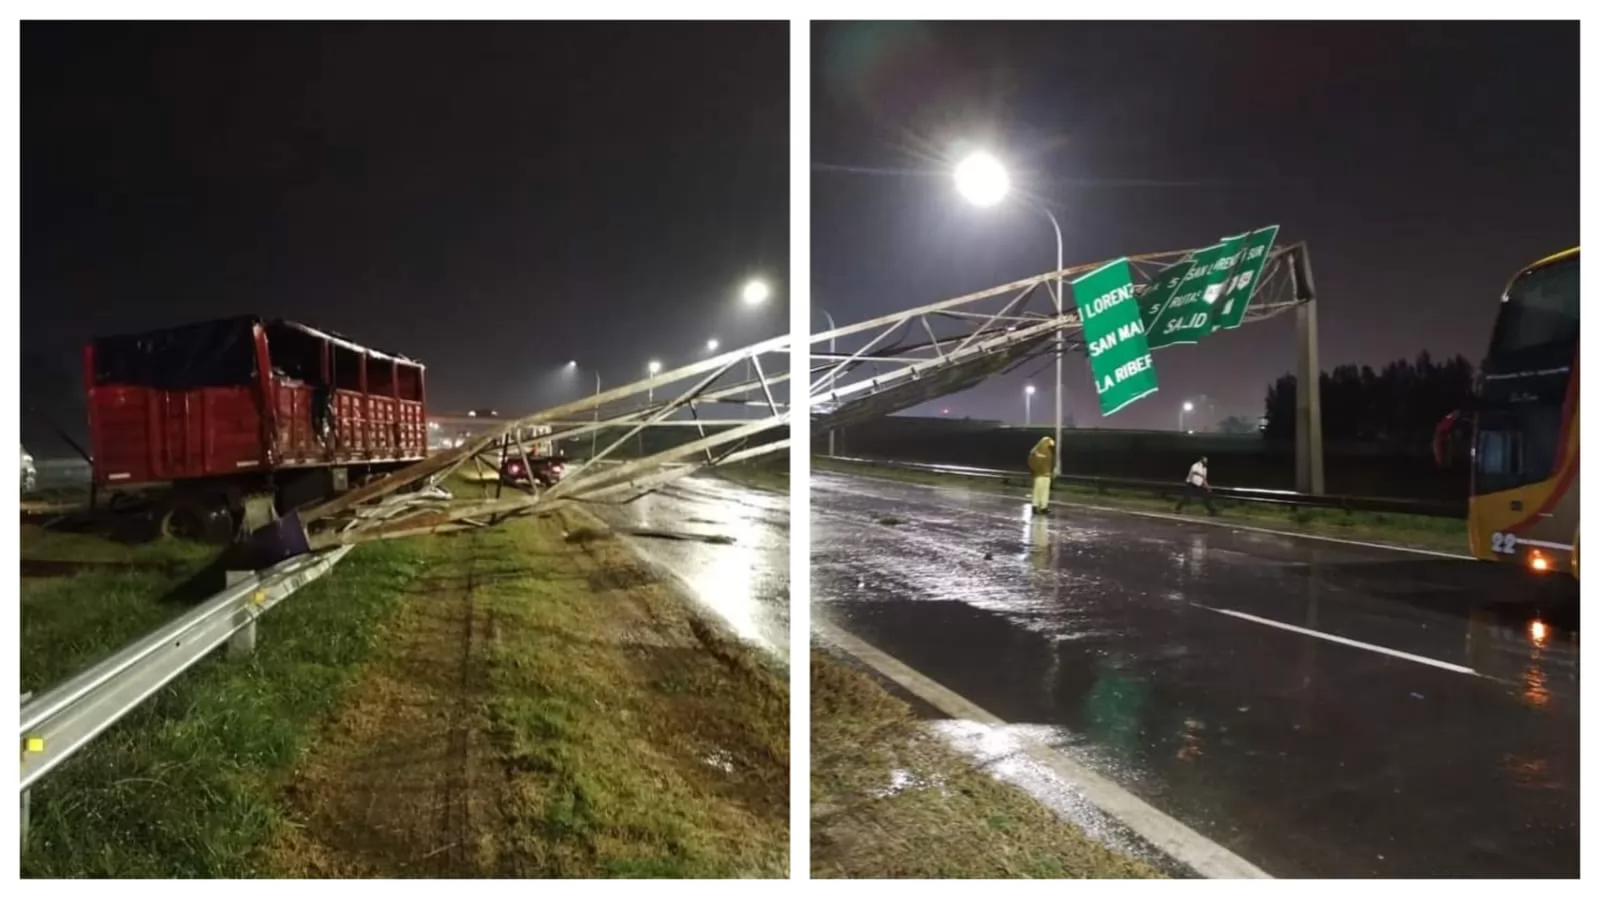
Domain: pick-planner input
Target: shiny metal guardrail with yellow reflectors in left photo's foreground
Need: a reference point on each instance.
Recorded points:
(68, 717)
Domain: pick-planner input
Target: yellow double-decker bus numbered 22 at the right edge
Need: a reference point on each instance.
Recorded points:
(1524, 501)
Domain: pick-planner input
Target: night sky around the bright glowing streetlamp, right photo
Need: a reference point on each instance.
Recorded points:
(1422, 162)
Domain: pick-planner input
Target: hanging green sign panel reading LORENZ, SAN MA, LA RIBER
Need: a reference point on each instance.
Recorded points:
(1114, 335)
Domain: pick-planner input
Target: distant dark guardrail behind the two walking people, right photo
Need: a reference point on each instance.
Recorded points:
(1260, 497)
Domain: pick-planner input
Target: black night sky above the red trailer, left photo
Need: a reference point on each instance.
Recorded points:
(492, 199)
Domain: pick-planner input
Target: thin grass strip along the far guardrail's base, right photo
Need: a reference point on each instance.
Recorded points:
(1422, 532)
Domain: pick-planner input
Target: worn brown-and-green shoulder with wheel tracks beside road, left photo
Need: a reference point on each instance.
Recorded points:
(546, 708)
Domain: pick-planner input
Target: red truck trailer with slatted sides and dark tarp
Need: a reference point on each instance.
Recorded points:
(222, 425)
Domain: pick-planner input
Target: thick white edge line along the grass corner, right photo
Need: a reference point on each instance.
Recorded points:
(1162, 831)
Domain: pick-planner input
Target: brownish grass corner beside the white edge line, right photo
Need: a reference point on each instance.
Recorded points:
(892, 801)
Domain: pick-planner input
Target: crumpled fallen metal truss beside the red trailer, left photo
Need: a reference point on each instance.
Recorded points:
(412, 501)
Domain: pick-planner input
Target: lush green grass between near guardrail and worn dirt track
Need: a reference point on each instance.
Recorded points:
(188, 785)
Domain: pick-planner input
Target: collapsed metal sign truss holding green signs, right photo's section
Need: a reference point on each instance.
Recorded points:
(884, 366)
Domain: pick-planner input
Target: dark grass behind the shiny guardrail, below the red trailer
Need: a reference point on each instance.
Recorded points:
(86, 597)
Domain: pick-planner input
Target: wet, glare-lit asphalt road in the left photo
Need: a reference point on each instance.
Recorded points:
(746, 583)
